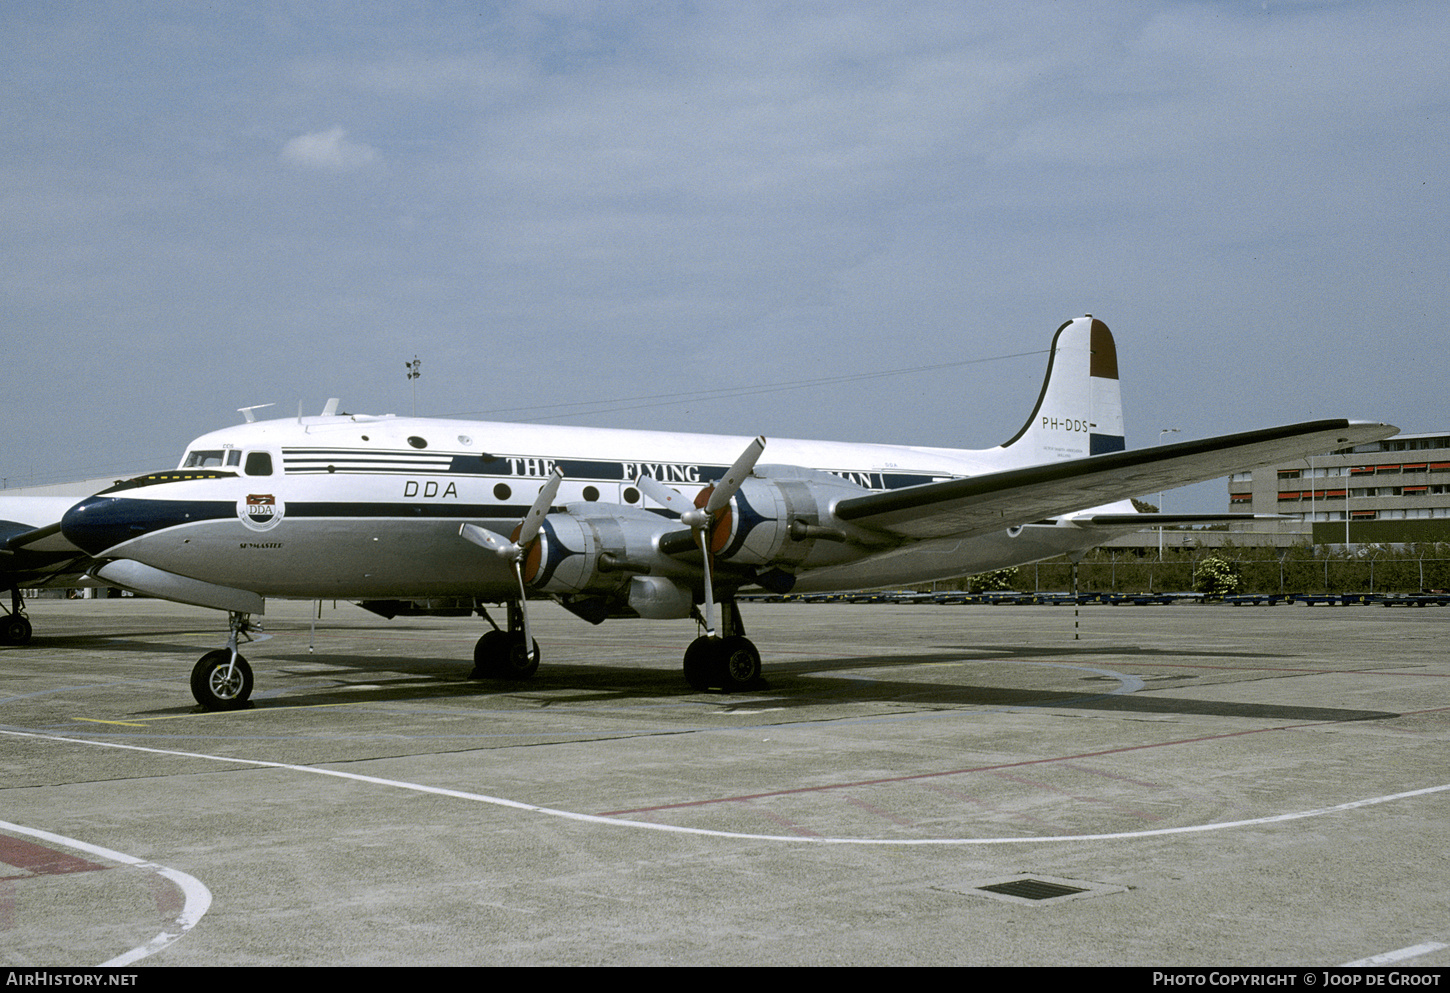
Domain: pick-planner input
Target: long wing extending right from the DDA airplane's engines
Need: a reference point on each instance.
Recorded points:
(981, 505)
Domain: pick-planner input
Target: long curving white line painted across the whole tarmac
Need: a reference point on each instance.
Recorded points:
(798, 840)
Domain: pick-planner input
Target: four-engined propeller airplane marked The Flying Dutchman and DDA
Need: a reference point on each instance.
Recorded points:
(631, 524)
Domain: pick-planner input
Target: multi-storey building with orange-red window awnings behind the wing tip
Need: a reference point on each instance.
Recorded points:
(1387, 492)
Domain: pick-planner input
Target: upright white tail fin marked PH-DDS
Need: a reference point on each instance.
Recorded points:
(1080, 411)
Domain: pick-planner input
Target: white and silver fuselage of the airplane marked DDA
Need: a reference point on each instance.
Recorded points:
(360, 507)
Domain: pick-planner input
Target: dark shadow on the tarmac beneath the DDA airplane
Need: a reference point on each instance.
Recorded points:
(805, 684)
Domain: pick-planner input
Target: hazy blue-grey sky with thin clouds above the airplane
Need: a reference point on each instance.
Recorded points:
(855, 221)
